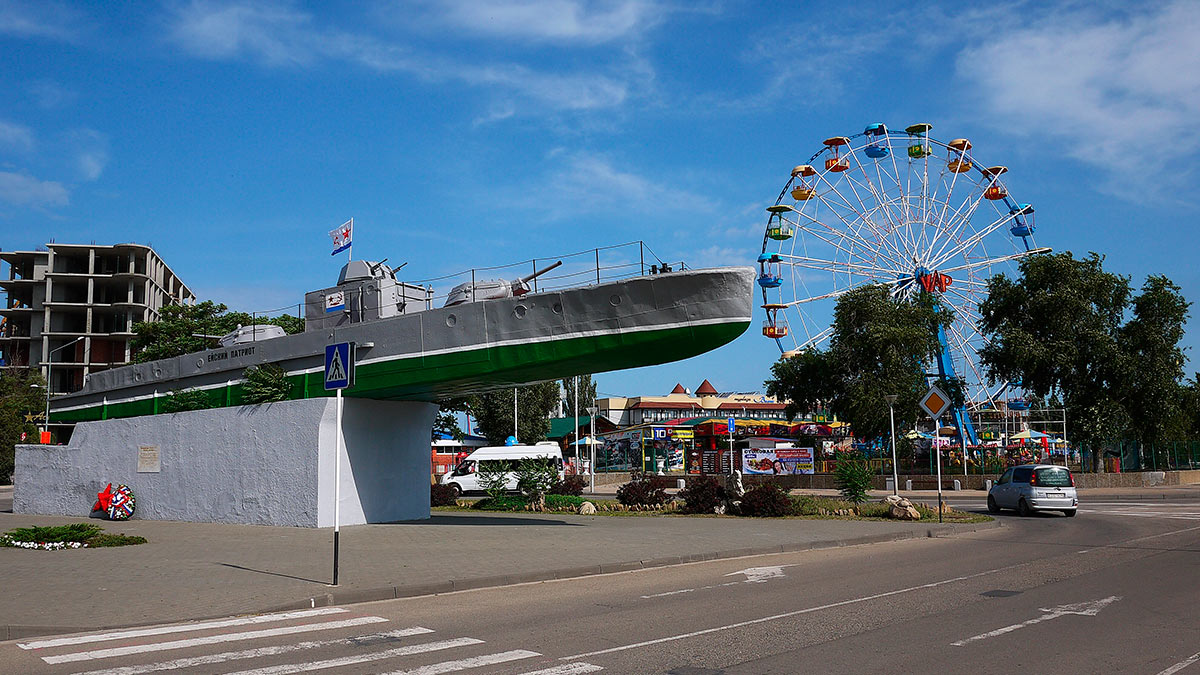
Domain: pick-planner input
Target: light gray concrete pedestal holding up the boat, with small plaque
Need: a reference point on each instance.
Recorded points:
(256, 465)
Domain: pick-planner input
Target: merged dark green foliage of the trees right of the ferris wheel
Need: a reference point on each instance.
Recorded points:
(1057, 331)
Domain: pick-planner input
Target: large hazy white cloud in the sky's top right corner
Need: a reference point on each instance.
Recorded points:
(1114, 92)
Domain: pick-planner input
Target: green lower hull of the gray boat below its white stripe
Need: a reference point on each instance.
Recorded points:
(428, 379)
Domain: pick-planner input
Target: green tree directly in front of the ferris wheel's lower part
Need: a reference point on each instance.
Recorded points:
(879, 347)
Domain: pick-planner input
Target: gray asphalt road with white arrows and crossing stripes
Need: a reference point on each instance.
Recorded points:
(1113, 590)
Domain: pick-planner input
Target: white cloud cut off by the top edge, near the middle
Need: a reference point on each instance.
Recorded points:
(563, 22)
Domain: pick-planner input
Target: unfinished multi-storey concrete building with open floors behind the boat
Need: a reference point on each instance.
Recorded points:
(76, 306)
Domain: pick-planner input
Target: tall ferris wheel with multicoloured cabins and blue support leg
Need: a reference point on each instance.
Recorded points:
(898, 210)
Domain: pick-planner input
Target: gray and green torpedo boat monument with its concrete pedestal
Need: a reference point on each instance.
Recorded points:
(273, 464)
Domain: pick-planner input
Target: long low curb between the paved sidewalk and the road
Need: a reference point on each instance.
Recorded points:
(338, 598)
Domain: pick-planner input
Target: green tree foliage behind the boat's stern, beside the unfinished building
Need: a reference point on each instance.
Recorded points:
(183, 330)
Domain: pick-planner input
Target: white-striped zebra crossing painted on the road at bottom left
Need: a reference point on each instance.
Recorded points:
(413, 650)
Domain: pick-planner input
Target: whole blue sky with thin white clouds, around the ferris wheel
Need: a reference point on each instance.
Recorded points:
(233, 136)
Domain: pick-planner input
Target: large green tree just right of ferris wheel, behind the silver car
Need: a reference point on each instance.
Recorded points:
(1055, 331)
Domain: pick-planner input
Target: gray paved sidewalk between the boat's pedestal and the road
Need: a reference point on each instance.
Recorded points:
(195, 571)
